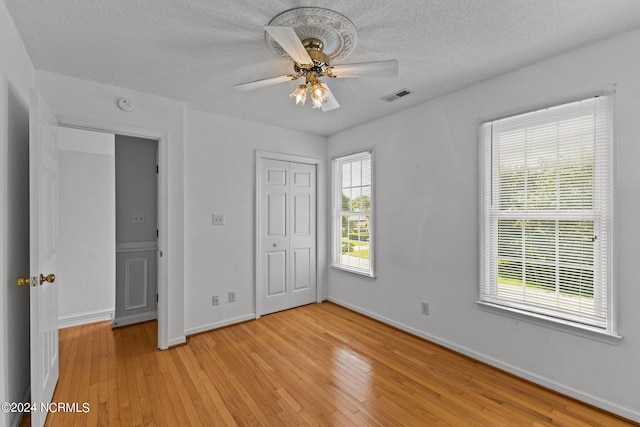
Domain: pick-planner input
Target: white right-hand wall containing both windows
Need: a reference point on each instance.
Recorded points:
(426, 171)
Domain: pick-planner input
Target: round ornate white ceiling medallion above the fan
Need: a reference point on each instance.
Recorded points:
(338, 34)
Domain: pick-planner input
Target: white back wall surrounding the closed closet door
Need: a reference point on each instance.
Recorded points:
(218, 175)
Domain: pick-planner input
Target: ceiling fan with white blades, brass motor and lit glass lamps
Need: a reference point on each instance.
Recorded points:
(312, 38)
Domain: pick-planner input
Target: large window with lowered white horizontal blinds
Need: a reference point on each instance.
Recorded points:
(547, 220)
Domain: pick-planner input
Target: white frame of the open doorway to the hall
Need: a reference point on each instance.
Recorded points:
(162, 205)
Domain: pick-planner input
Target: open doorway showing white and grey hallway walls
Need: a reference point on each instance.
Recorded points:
(108, 227)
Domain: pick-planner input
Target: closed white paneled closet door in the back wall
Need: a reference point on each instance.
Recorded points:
(287, 235)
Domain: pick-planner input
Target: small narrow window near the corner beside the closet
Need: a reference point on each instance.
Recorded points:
(352, 219)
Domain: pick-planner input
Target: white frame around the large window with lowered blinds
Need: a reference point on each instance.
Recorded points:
(609, 333)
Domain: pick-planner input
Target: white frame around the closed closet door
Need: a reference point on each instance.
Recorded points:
(320, 220)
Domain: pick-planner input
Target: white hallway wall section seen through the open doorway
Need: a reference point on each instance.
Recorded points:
(87, 227)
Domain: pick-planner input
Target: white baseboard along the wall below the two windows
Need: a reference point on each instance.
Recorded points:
(622, 411)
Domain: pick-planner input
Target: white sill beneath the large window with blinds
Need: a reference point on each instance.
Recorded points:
(557, 324)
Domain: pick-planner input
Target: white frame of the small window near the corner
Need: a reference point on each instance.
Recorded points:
(336, 222)
